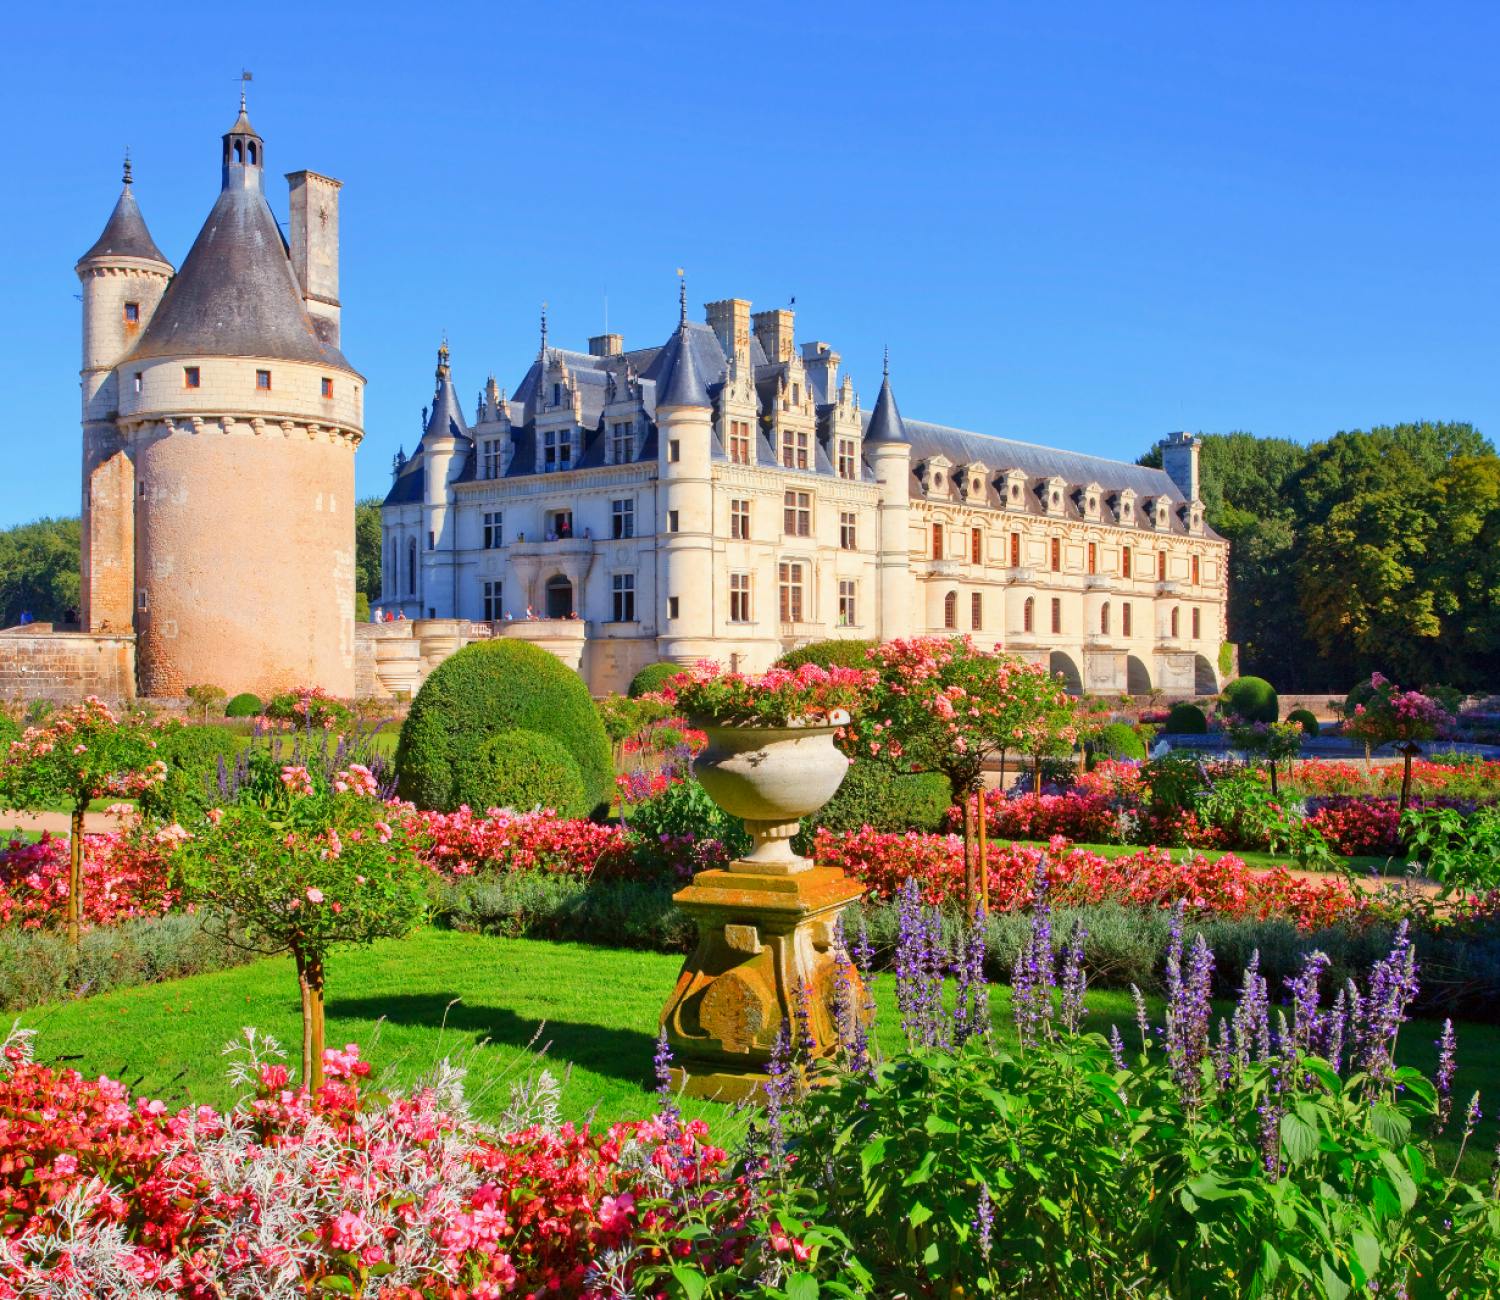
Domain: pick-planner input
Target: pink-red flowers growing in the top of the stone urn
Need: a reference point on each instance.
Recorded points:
(775, 699)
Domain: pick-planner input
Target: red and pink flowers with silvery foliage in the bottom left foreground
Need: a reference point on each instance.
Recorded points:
(295, 1193)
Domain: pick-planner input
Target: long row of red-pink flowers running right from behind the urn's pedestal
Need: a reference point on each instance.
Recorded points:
(1151, 878)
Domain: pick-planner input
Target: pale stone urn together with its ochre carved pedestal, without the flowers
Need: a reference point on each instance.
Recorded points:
(767, 924)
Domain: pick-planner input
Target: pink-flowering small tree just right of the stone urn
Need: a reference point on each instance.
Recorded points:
(943, 705)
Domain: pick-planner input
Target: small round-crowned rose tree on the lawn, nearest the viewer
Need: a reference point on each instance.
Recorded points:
(304, 867)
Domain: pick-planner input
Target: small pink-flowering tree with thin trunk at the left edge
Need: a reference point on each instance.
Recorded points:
(80, 755)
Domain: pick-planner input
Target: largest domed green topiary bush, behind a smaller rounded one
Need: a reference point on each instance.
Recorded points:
(491, 687)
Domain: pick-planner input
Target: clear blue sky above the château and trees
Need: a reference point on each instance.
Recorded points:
(1079, 224)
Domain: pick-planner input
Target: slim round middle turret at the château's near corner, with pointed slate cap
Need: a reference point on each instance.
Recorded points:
(686, 524)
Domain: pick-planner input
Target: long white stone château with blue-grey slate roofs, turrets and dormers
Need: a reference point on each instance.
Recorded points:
(725, 496)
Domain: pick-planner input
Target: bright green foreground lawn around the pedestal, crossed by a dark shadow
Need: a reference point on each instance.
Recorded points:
(496, 1005)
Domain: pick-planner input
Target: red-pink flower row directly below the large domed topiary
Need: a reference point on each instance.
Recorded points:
(467, 845)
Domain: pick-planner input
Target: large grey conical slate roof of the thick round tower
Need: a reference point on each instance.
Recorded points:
(236, 295)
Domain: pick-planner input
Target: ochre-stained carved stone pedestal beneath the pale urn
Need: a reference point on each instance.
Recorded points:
(760, 938)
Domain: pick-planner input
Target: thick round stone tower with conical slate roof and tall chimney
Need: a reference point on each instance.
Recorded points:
(241, 418)
